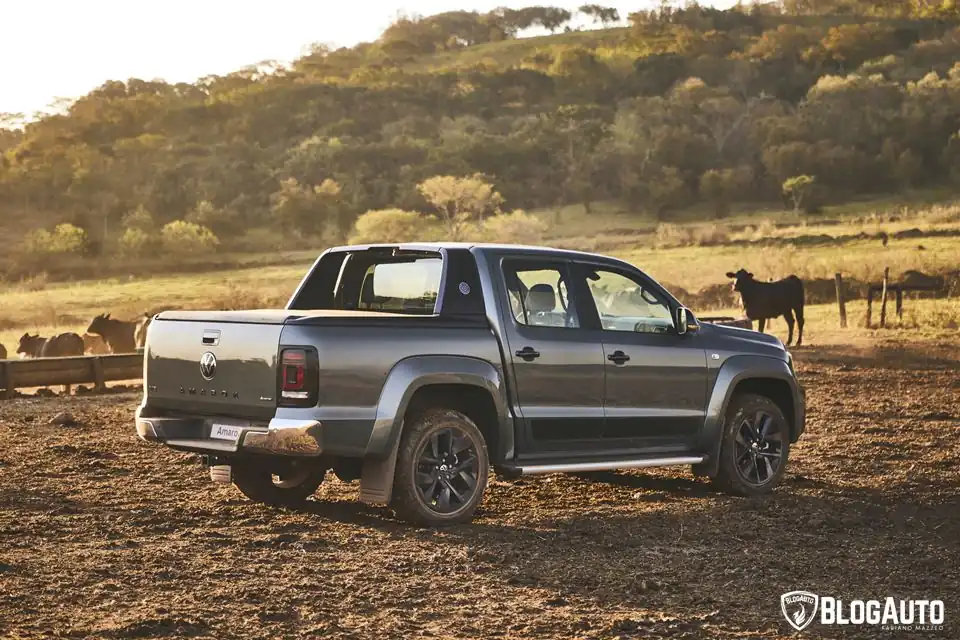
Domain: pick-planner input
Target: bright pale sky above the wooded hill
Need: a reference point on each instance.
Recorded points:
(52, 49)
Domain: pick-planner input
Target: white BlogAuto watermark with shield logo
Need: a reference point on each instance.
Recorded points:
(800, 608)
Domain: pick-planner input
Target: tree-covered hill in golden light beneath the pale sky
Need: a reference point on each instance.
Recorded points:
(683, 107)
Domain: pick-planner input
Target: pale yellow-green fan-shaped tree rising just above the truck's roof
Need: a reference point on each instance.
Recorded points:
(460, 201)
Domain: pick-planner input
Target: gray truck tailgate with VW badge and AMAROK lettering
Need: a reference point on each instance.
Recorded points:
(214, 363)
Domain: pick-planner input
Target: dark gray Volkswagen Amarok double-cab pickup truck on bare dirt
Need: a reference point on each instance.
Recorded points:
(416, 368)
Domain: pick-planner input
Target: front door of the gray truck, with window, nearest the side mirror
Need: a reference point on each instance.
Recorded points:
(656, 379)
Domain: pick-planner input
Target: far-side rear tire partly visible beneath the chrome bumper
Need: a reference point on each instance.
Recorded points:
(285, 487)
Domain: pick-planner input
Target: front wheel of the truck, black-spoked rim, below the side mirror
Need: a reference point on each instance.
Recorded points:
(755, 447)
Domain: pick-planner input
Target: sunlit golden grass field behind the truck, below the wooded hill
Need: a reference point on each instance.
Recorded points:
(812, 247)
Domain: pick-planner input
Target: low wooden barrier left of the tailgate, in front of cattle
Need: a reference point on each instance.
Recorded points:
(46, 372)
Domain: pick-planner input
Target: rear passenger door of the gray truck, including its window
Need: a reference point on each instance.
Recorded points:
(558, 366)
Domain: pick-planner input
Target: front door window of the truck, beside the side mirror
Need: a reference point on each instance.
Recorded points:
(626, 305)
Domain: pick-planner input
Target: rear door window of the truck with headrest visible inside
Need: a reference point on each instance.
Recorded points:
(539, 295)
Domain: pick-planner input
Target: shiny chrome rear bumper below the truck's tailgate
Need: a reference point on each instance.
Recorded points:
(282, 437)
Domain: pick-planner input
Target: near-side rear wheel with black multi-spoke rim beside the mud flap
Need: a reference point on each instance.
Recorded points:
(442, 468)
